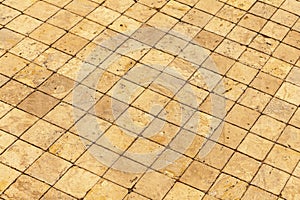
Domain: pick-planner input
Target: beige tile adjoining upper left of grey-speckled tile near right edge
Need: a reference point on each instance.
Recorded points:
(254, 99)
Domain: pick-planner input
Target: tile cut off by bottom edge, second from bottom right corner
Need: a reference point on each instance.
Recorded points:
(254, 193)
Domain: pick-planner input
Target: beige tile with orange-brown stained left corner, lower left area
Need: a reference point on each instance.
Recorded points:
(69, 147)
